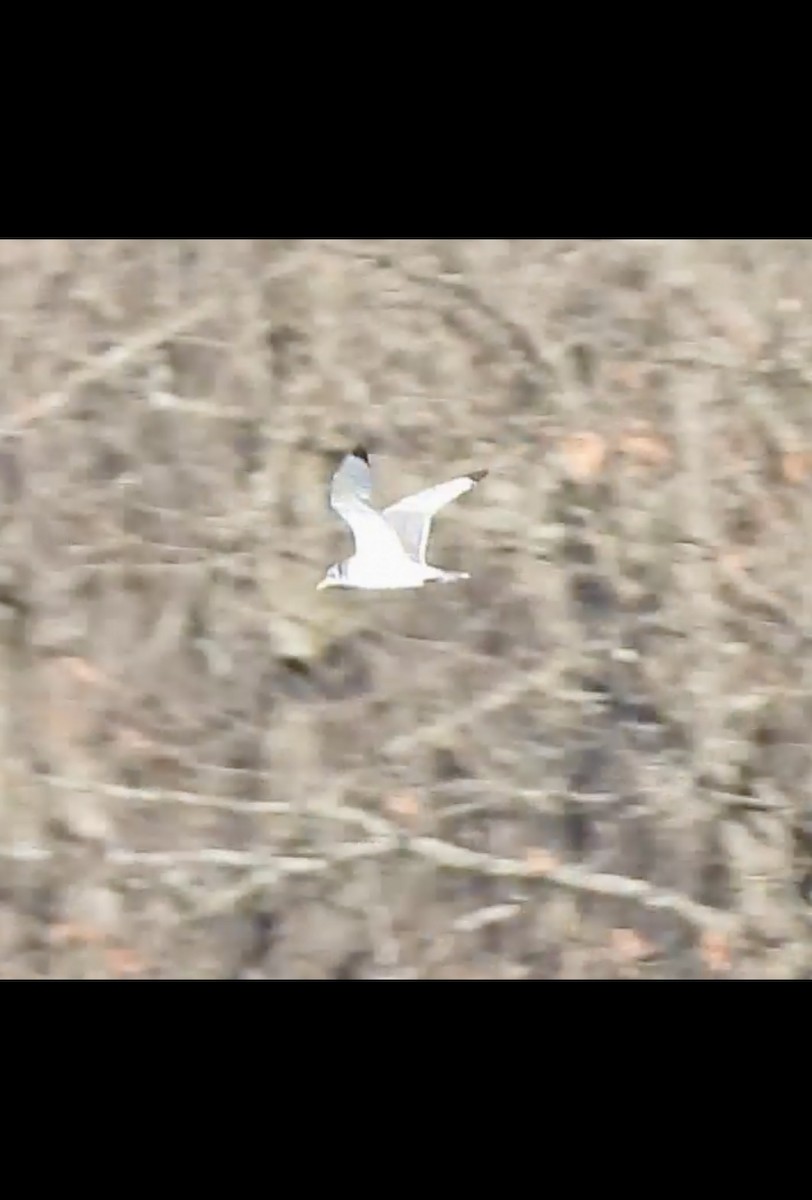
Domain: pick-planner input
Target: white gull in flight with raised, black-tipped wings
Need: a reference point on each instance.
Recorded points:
(390, 547)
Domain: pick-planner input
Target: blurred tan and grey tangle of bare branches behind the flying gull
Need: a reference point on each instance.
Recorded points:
(590, 761)
